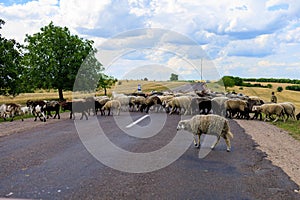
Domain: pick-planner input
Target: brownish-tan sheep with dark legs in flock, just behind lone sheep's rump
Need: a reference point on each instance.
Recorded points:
(233, 106)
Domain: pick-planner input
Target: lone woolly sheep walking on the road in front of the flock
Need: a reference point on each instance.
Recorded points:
(207, 124)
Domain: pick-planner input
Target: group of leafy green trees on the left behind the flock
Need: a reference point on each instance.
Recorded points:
(52, 58)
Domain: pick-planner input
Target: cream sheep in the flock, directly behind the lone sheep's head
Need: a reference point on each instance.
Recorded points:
(180, 102)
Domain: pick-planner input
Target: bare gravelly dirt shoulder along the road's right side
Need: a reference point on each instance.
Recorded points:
(281, 148)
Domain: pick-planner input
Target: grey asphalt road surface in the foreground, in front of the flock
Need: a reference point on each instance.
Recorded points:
(51, 162)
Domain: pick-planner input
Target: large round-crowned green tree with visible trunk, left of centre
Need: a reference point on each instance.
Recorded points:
(55, 59)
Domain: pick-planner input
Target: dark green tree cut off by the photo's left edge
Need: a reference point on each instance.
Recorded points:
(10, 66)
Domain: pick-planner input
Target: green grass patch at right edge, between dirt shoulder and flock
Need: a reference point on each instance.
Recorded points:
(291, 126)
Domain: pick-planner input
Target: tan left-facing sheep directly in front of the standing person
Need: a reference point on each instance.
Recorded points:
(270, 109)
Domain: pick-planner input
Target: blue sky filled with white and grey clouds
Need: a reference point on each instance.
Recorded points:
(139, 39)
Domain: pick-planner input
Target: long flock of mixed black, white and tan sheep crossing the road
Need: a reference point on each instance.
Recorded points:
(226, 105)
